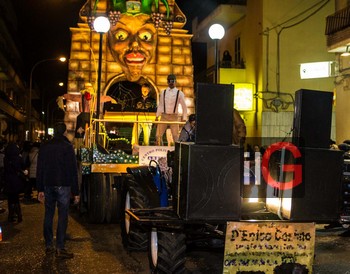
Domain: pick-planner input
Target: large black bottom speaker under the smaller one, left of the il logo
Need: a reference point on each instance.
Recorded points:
(207, 182)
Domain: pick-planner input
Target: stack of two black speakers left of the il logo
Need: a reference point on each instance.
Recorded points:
(207, 173)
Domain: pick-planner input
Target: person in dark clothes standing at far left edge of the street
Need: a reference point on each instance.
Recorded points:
(14, 174)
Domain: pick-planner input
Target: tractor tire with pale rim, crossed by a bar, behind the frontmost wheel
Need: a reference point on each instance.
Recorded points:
(134, 237)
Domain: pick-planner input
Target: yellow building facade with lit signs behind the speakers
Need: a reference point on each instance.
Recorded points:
(268, 41)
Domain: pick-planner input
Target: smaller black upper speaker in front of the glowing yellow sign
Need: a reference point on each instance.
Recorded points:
(214, 114)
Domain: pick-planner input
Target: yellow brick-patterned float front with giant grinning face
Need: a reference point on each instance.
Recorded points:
(146, 42)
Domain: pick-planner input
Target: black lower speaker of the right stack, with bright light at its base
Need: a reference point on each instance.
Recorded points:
(318, 197)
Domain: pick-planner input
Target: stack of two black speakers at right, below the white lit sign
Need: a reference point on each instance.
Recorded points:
(319, 197)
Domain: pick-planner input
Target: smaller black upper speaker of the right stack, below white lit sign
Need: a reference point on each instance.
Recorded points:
(312, 118)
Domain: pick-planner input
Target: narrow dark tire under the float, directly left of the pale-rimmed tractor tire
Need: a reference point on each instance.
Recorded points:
(113, 205)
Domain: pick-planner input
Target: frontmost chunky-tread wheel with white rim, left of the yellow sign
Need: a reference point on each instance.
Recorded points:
(166, 252)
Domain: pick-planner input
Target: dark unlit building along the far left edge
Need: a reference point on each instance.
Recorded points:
(13, 103)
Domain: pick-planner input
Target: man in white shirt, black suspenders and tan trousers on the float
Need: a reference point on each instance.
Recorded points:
(167, 110)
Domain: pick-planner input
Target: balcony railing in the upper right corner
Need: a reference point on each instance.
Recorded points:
(338, 21)
